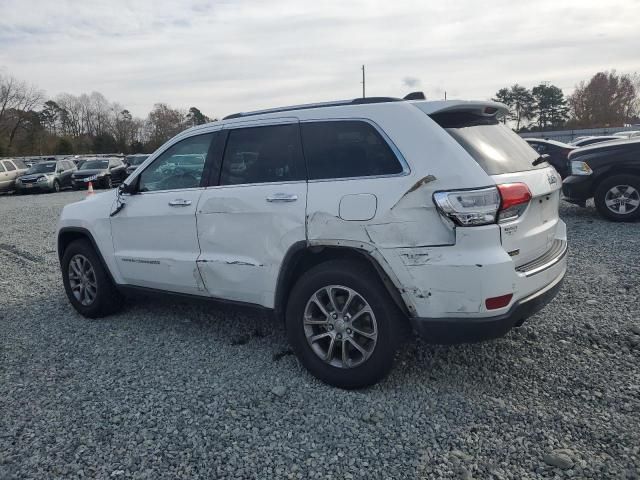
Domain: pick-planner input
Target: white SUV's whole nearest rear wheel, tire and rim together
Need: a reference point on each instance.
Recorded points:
(342, 324)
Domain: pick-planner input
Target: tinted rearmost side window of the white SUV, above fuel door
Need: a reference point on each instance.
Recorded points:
(346, 149)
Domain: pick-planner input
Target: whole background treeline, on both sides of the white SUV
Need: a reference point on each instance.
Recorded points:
(32, 124)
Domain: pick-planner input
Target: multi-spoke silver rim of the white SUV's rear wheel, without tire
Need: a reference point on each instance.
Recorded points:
(340, 326)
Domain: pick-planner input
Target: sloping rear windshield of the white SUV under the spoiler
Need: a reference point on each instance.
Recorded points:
(495, 147)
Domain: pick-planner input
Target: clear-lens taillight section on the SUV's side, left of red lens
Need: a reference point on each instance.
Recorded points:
(469, 207)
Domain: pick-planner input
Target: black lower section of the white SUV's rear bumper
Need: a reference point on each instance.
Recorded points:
(465, 330)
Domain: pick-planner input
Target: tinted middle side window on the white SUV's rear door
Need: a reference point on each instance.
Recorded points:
(262, 155)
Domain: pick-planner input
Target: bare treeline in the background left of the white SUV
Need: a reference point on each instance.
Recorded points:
(31, 124)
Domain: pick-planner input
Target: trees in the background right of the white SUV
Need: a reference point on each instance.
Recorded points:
(608, 99)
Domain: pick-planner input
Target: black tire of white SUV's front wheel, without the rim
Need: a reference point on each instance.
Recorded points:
(107, 300)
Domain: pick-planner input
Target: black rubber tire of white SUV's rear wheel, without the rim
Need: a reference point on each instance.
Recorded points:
(363, 279)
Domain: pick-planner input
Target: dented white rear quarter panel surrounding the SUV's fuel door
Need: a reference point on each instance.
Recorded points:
(406, 217)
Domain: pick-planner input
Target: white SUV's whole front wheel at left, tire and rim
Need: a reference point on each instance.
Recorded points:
(87, 283)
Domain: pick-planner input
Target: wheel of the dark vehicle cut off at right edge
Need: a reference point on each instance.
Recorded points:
(618, 198)
